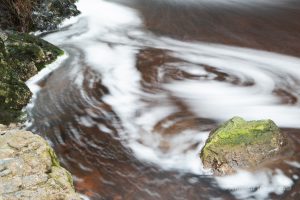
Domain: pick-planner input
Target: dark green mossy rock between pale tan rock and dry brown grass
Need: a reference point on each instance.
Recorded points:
(21, 56)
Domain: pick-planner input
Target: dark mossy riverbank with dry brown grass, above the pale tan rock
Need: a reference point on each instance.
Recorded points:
(22, 55)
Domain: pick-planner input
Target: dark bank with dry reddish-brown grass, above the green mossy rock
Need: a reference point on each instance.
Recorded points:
(33, 15)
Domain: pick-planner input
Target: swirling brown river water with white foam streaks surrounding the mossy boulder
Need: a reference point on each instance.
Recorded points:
(130, 105)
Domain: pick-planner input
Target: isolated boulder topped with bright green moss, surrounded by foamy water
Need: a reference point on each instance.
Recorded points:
(242, 144)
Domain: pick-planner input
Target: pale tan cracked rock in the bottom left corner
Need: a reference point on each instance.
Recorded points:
(29, 169)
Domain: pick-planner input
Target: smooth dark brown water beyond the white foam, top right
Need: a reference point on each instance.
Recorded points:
(268, 25)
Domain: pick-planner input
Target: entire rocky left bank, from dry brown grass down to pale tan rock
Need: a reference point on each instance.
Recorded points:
(29, 168)
